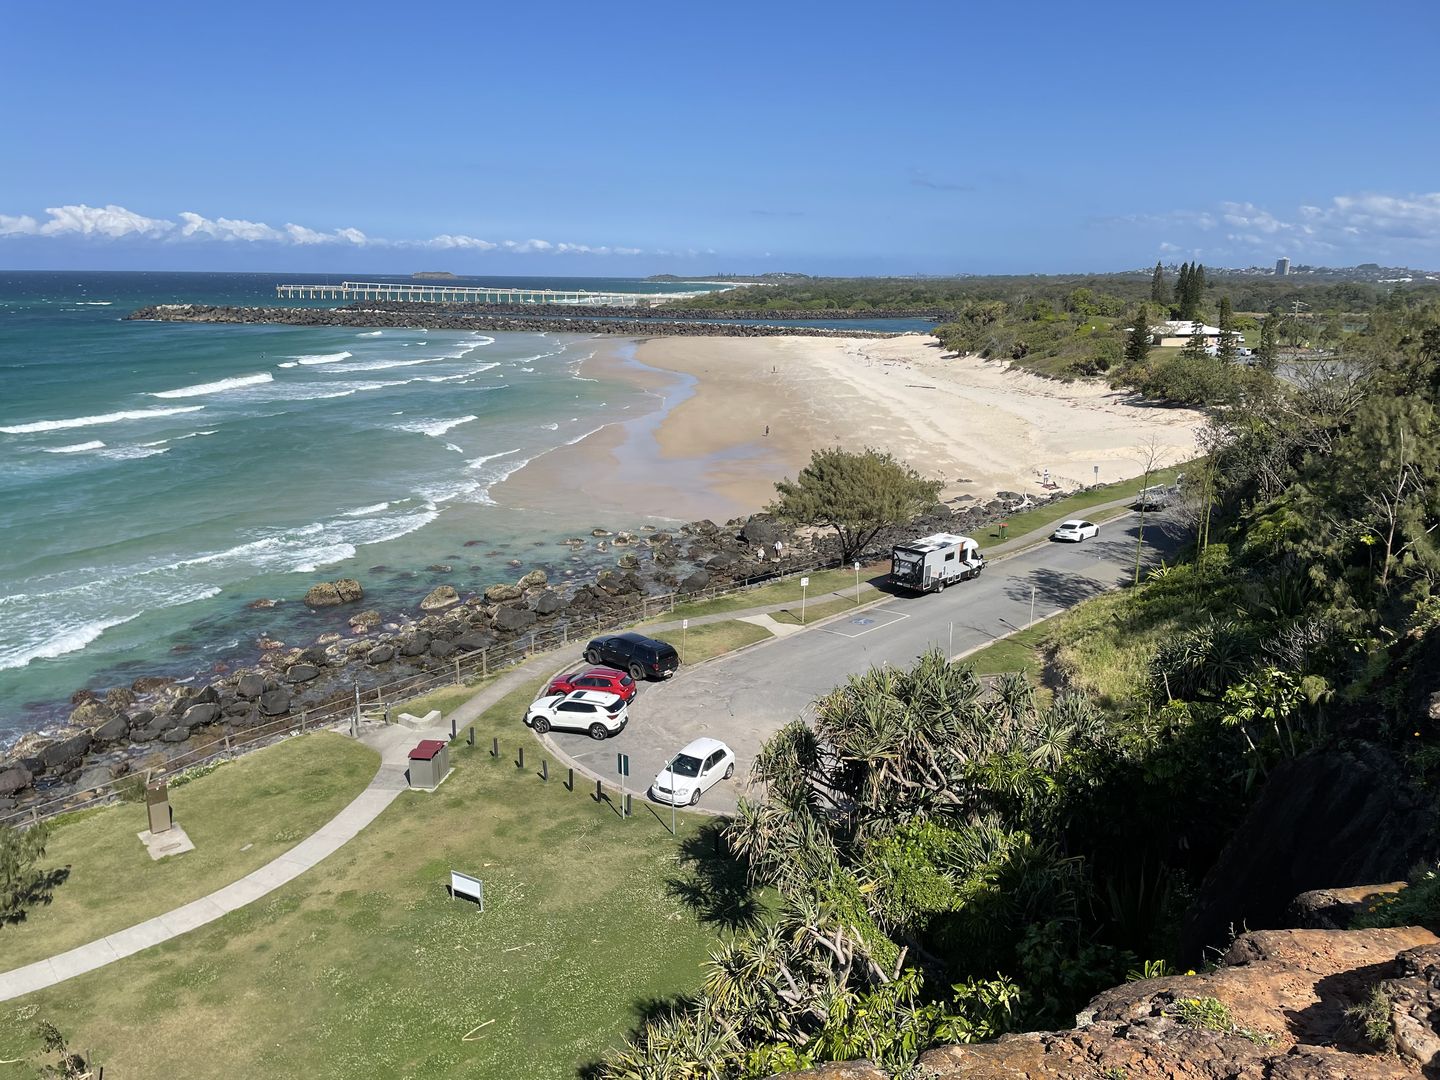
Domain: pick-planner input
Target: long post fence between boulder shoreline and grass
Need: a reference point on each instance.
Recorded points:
(349, 708)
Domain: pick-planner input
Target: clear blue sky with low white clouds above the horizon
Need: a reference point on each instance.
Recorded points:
(644, 138)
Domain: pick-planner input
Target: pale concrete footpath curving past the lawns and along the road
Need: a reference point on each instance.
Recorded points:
(394, 744)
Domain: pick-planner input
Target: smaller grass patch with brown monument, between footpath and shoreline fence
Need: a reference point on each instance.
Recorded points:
(240, 817)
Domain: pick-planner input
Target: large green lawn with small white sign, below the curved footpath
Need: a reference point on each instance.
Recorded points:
(365, 967)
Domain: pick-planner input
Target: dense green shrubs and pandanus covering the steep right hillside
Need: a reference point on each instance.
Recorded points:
(953, 859)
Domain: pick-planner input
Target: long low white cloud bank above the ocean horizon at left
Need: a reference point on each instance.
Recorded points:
(114, 222)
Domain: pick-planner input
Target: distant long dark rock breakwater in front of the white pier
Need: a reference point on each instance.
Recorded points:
(480, 319)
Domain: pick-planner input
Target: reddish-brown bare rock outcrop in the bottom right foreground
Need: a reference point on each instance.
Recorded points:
(1278, 1009)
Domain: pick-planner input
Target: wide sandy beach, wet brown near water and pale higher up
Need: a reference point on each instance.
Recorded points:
(735, 415)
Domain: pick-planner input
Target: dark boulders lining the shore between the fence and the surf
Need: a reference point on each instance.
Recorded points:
(156, 719)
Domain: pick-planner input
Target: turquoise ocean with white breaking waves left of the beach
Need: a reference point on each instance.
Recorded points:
(161, 477)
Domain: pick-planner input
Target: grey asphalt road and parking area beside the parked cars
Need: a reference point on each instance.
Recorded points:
(745, 698)
